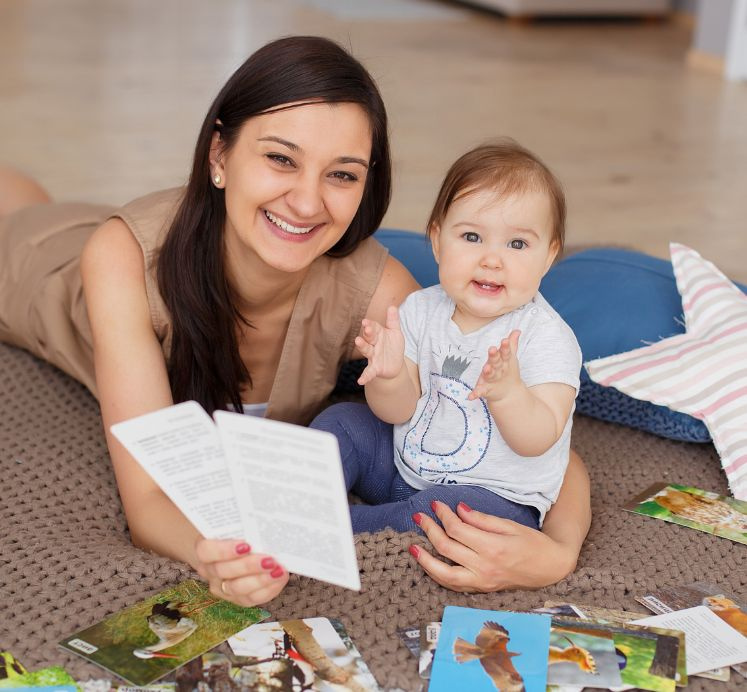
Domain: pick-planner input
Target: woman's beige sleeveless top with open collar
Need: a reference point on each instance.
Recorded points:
(42, 308)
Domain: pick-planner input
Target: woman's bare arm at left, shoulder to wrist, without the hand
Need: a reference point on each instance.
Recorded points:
(131, 379)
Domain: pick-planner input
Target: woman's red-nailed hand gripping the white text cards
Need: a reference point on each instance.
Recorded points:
(236, 574)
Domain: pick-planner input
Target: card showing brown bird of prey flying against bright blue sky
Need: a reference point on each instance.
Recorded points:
(491, 650)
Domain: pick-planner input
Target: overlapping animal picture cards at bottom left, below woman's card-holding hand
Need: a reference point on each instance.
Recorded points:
(182, 629)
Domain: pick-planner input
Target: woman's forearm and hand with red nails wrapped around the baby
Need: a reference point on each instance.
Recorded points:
(494, 554)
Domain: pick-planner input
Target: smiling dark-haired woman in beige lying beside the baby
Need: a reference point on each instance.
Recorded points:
(246, 289)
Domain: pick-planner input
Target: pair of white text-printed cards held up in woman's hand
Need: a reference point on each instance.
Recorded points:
(276, 485)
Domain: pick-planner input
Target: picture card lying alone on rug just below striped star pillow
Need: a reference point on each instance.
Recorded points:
(697, 509)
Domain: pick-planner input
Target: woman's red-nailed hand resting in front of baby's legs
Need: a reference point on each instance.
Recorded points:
(491, 553)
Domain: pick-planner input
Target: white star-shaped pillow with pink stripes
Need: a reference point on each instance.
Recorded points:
(702, 372)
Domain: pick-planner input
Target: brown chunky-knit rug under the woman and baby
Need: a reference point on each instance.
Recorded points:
(66, 560)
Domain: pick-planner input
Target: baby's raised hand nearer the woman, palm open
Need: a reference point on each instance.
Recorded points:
(383, 346)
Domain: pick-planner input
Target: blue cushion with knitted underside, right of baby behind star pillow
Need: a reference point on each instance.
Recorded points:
(617, 300)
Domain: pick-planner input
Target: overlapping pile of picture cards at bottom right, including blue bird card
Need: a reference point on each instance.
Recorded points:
(569, 646)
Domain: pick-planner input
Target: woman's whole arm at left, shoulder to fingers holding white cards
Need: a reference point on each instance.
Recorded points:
(132, 380)
